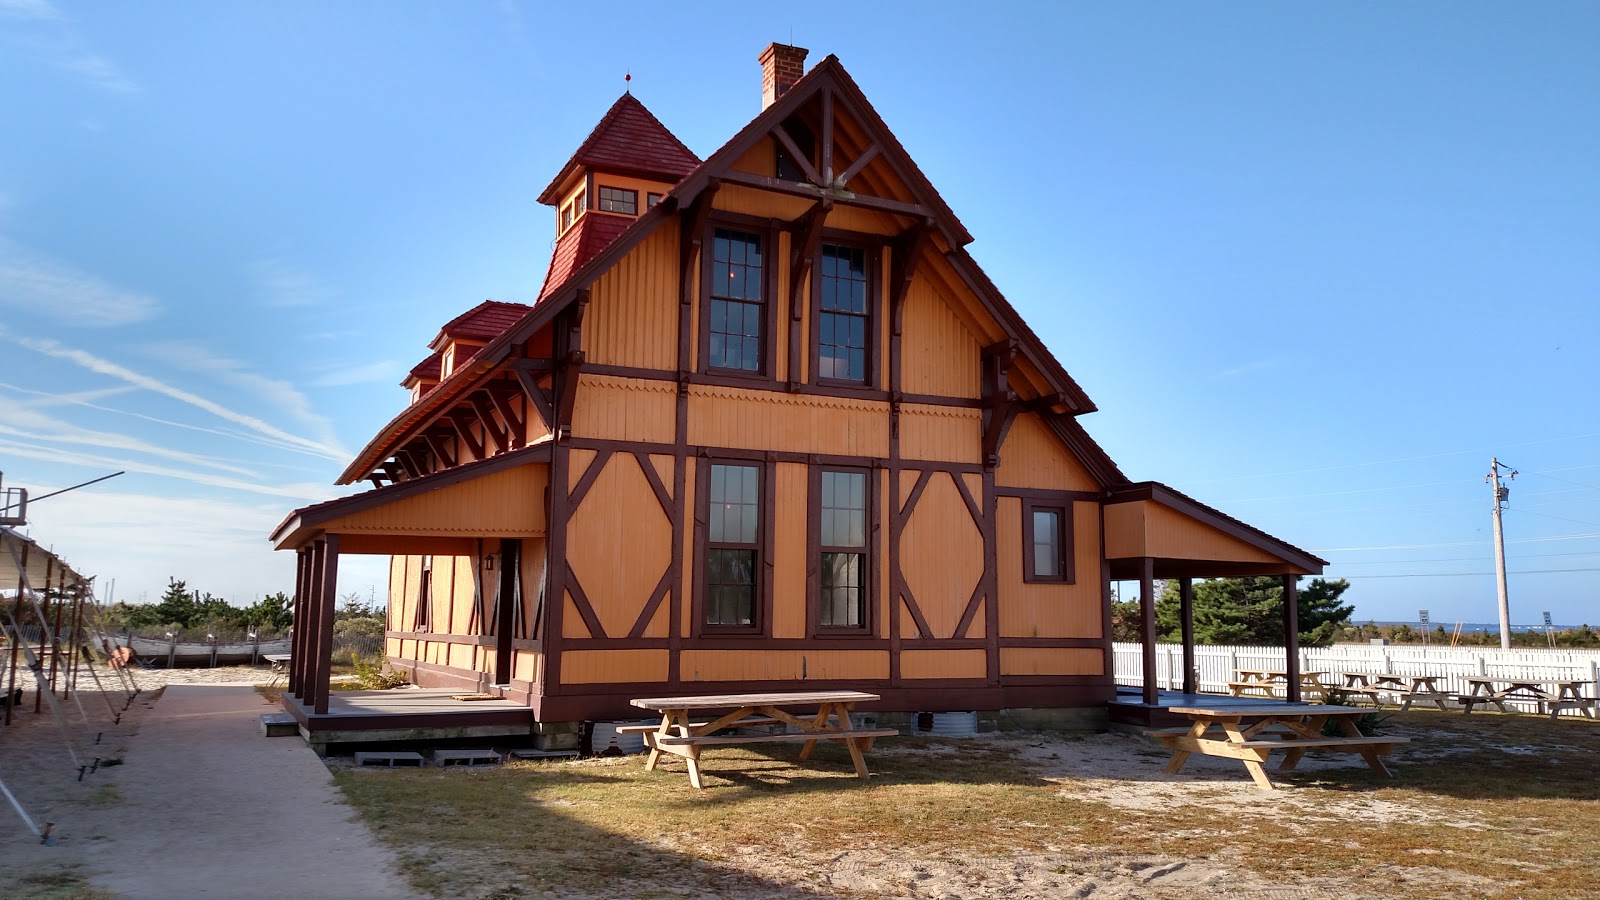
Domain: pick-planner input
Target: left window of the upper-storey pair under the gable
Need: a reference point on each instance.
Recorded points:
(738, 303)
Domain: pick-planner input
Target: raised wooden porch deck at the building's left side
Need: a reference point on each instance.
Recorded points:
(410, 715)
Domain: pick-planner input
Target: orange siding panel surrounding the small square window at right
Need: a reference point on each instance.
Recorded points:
(1042, 609)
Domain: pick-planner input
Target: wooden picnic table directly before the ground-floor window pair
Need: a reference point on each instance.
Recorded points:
(679, 736)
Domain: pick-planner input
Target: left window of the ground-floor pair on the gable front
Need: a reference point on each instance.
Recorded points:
(734, 528)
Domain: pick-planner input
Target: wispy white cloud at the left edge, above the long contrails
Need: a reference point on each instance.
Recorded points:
(49, 287)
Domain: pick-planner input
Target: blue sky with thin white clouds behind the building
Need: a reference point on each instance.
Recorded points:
(1314, 265)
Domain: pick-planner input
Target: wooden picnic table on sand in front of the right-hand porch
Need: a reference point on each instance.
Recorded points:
(1255, 733)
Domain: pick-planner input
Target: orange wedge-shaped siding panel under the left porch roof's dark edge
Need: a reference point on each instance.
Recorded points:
(508, 504)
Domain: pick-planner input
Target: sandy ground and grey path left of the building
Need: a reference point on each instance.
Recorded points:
(196, 803)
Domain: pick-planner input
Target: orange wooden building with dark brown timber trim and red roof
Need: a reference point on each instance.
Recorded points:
(769, 425)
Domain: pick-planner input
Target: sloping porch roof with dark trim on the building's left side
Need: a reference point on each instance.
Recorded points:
(502, 497)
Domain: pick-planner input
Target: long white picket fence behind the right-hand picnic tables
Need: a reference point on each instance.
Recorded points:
(1218, 665)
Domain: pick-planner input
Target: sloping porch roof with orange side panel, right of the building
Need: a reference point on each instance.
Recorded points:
(1191, 540)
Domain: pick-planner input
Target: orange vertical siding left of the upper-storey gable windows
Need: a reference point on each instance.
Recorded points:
(633, 316)
